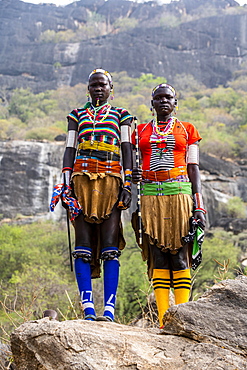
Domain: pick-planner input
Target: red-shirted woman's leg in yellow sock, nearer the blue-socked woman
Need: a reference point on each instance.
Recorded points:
(161, 280)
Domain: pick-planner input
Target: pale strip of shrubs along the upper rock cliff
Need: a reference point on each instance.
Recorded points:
(91, 24)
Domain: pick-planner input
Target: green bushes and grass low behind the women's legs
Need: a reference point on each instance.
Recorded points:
(35, 274)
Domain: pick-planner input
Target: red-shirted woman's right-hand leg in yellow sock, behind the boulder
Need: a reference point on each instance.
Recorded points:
(181, 275)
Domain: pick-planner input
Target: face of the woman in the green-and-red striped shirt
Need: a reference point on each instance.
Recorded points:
(99, 88)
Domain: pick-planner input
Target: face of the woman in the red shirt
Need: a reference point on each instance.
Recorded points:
(163, 102)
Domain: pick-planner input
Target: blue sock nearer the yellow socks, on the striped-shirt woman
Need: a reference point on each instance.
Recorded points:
(111, 275)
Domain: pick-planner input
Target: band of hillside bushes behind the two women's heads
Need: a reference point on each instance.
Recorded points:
(220, 114)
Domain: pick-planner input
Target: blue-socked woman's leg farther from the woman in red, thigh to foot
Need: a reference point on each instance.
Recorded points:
(82, 255)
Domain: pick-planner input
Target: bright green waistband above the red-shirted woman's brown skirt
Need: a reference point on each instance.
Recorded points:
(166, 188)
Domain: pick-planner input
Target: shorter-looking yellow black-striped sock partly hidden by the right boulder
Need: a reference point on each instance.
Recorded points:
(182, 283)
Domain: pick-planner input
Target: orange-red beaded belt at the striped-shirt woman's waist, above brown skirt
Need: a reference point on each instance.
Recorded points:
(95, 166)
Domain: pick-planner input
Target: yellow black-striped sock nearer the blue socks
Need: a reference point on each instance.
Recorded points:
(161, 285)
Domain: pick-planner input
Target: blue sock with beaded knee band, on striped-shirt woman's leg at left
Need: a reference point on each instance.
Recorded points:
(83, 277)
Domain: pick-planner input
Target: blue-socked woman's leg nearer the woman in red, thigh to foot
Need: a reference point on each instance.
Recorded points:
(109, 232)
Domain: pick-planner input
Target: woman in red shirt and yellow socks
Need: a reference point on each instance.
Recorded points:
(169, 177)
